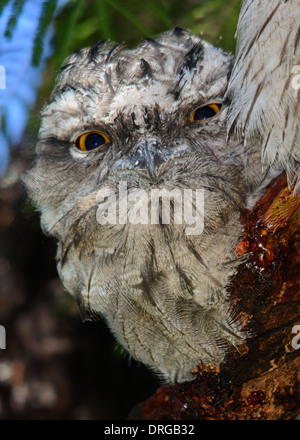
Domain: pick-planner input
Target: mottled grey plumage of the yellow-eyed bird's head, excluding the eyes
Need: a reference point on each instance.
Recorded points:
(161, 291)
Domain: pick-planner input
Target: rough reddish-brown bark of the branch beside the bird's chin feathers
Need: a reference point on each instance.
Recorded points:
(262, 379)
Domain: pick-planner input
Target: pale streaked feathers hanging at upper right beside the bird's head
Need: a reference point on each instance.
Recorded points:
(264, 87)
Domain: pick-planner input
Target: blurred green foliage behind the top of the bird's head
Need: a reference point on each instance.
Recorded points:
(83, 22)
